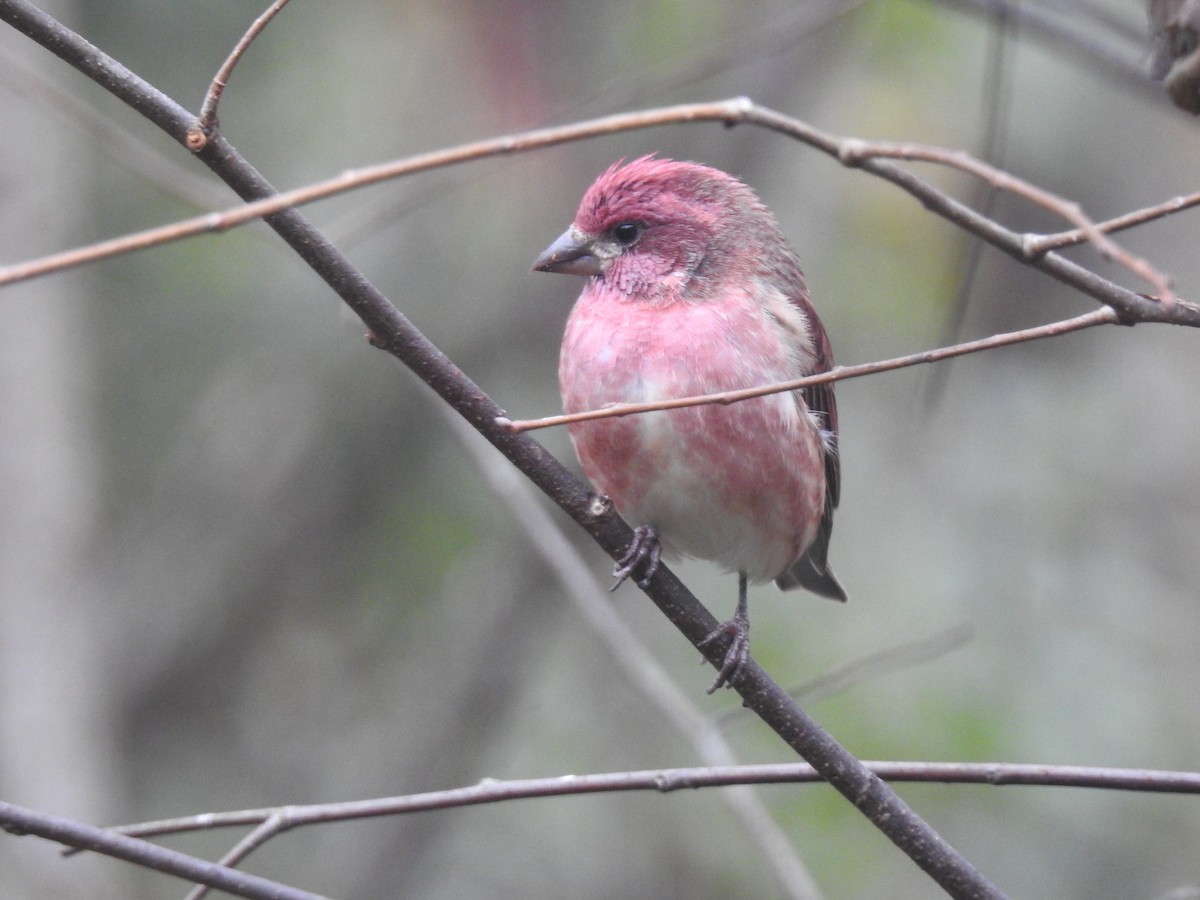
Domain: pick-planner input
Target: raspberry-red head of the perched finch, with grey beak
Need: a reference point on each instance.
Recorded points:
(661, 231)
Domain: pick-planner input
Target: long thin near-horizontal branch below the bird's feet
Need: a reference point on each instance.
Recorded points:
(667, 781)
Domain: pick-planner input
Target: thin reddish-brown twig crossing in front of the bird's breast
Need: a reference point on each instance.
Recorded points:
(1103, 316)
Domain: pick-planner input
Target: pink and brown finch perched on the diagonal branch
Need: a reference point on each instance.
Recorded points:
(692, 290)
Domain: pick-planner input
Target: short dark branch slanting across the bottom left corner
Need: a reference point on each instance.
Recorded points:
(19, 820)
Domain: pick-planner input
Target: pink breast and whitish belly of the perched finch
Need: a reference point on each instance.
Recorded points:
(742, 485)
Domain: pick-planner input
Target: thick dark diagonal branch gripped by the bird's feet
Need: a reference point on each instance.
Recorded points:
(392, 332)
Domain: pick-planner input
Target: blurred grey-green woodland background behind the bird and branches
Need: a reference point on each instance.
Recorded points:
(247, 561)
